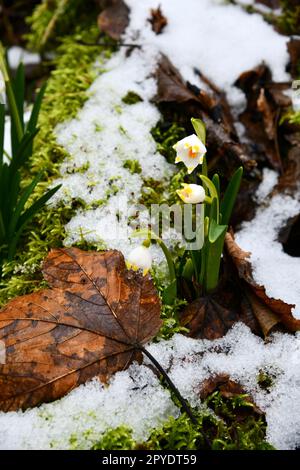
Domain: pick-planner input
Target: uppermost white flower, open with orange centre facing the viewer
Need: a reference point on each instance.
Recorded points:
(190, 151)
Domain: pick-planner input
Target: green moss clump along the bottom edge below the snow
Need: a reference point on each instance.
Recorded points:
(217, 428)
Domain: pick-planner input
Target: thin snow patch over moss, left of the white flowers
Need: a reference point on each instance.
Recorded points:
(105, 134)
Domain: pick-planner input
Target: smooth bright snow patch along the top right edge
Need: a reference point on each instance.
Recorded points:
(221, 40)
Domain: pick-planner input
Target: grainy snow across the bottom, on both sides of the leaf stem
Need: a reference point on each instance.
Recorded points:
(136, 399)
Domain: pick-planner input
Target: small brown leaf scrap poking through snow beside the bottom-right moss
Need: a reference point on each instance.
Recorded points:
(229, 389)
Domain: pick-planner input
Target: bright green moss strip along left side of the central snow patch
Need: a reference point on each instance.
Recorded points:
(66, 93)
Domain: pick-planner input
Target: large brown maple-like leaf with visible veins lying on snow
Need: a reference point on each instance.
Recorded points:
(87, 324)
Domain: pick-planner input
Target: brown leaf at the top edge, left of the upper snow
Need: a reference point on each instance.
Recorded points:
(114, 19)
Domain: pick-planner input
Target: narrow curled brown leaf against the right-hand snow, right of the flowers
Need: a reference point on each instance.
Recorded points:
(268, 311)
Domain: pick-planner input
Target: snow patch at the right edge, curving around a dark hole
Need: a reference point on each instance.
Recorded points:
(272, 267)
